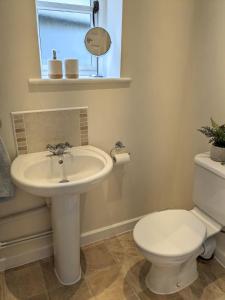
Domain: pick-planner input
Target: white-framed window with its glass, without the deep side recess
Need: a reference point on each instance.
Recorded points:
(62, 26)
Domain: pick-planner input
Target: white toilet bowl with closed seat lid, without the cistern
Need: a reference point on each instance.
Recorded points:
(172, 240)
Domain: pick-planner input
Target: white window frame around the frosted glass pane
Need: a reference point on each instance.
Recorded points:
(62, 7)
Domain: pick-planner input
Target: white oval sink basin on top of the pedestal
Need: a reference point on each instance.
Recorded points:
(42, 175)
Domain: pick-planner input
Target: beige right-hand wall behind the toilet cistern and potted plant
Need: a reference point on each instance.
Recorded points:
(209, 72)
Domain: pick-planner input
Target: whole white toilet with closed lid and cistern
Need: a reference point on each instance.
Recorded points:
(173, 239)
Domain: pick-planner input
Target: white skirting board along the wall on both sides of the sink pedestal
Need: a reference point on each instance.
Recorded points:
(36, 249)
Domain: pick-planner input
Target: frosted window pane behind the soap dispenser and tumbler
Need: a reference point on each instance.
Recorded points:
(65, 32)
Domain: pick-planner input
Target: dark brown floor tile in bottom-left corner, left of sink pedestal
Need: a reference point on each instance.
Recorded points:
(24, 282)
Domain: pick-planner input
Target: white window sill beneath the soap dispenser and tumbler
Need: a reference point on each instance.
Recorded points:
(79, 82)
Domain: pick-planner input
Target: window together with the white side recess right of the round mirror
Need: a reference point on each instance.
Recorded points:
(63, 24)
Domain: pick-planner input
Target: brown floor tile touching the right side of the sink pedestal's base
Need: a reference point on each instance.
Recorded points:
(95, 258)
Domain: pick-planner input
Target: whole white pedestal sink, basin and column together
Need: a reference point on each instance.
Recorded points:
(42, 175)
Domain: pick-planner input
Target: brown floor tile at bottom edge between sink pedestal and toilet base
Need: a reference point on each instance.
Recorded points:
(109, 284)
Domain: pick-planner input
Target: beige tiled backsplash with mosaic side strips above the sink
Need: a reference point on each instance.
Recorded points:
(33, 130)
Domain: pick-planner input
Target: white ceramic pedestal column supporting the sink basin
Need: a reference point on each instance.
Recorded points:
(65, 213)
